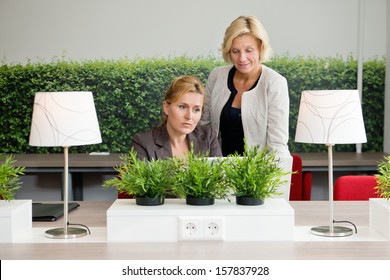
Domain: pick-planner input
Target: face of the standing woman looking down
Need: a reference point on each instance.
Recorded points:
(245, 53)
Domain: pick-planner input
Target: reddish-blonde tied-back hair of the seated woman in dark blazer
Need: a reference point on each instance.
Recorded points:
(181, 86)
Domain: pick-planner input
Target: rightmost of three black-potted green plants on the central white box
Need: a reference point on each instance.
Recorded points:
(255, 175)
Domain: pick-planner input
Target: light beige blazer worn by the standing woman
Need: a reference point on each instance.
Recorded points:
(265, 108)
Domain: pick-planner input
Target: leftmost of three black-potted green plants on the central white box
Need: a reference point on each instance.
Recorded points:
(148, 181)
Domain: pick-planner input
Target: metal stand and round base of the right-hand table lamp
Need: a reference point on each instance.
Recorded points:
(331, 230)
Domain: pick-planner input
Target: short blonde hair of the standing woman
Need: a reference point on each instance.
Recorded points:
(246, 25)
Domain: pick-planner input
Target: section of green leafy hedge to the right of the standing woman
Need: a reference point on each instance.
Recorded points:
(335, 73)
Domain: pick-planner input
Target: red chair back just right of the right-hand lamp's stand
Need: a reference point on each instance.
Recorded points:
(355, 187)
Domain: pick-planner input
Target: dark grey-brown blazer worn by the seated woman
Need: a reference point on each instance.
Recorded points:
(155, 144)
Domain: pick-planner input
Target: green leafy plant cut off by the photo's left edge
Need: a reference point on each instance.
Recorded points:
(9, 177)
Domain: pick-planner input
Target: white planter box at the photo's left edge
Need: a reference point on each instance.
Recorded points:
(15, 220)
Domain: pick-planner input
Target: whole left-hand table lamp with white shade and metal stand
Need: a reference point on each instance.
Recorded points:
(64, 119)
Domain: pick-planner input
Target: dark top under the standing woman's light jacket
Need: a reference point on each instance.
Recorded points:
(232, 132)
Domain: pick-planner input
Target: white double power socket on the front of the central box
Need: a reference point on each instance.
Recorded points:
(201, 228)
